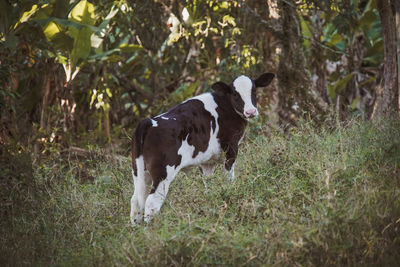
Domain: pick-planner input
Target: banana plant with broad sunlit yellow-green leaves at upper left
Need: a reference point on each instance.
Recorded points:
(73, 34)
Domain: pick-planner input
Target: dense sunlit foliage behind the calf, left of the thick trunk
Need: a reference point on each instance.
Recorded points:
(121, 61)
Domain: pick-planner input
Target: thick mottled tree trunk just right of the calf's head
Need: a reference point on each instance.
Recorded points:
(294, 88)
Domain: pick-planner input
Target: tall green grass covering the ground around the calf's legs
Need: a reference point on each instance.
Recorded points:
(313, 196)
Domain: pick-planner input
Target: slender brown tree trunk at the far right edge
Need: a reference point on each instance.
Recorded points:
(386, 101)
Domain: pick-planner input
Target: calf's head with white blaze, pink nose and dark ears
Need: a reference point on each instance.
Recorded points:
(242, 93)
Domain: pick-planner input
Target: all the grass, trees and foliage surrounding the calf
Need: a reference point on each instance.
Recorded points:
(76, 76)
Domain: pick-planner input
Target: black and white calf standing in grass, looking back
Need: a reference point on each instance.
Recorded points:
(194, 132)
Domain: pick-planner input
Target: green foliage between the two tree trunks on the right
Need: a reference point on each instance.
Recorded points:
(344, 42)
